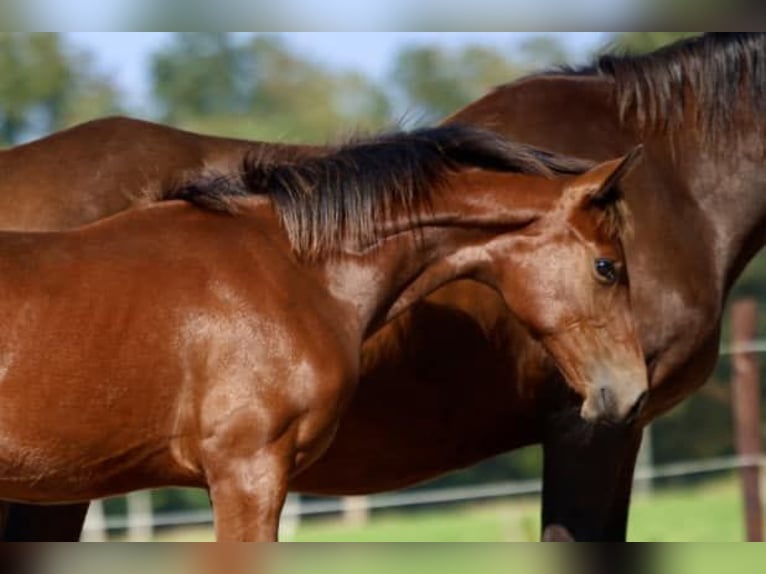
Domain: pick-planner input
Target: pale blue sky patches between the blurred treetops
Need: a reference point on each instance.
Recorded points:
(124, 55)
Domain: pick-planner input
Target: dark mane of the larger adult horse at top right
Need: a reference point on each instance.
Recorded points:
(711, 78)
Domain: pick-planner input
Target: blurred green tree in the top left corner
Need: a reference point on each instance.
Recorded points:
(45, 86)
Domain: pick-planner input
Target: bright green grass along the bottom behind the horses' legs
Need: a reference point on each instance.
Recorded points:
(710, 513)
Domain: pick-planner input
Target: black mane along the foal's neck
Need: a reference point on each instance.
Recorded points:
(328, 200)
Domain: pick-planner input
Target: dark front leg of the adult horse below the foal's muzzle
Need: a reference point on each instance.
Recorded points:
(587, 487)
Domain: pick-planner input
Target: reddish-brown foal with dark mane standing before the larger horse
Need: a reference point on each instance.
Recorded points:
(185, 347)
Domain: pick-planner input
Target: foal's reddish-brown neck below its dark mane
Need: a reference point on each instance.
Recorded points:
(442, 244)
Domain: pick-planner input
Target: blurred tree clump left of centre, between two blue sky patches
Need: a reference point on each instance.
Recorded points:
(261, 88)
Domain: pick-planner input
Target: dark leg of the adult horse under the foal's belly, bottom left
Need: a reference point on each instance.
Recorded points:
(30, 523)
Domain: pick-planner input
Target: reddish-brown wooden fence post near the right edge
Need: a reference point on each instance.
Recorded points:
(746, 393)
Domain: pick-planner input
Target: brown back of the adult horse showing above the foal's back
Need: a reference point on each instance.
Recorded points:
(135, 161)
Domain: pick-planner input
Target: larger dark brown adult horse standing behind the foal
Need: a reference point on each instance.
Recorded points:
(699, 217)
